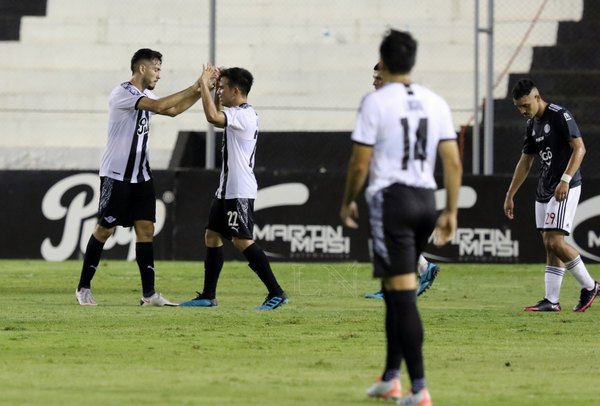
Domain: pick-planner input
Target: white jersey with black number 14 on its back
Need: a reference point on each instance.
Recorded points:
(404, 124)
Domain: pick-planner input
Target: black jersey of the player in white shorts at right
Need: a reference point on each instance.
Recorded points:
(549, 137)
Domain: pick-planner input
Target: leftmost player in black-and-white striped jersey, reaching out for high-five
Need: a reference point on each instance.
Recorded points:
(127, 196)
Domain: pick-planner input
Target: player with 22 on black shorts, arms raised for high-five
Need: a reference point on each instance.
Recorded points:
(231, 212)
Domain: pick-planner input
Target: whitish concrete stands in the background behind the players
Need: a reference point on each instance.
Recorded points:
(311, 59)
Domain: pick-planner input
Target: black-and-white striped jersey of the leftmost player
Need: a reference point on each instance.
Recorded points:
(126, 155)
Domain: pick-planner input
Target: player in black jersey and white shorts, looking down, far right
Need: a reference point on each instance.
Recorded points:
(553, 135)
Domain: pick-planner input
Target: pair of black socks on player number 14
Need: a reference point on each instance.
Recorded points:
(404, 333)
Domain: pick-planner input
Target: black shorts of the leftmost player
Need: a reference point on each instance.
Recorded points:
(122, 203)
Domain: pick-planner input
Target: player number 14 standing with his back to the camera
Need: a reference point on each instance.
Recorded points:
(400, 130)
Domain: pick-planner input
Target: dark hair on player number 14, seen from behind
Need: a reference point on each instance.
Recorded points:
(398, 51)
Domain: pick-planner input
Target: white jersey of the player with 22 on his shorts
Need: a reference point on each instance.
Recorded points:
(239, 145)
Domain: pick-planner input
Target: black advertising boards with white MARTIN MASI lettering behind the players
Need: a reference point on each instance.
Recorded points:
(51, 214)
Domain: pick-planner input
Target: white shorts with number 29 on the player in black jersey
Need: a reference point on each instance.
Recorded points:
(557, 216)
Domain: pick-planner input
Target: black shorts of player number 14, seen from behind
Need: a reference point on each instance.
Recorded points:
(401, 218)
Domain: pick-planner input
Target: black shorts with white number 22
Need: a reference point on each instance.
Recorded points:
(232, 218)
